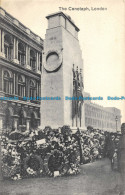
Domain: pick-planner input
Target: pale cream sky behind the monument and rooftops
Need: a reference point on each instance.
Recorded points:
(101, 37)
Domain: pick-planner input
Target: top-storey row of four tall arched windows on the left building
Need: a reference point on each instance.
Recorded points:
(21, 56)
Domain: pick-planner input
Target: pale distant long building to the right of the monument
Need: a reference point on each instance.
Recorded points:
(99, 117)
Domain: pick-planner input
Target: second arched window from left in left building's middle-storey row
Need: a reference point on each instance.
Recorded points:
(21, 86)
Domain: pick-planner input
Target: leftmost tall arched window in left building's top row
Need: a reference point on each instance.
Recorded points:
(8, 46)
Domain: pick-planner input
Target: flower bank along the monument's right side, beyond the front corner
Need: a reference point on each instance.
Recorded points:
(92, 144)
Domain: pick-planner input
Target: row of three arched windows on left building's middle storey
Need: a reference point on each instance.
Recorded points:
(9, 85)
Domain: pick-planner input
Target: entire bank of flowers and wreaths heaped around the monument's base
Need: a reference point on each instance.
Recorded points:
(52, 152)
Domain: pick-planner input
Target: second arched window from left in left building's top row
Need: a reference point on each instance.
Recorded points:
(21, 53)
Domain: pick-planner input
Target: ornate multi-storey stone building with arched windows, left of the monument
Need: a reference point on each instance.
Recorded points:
(20, 74)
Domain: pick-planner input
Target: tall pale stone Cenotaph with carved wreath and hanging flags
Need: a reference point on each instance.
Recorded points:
(62, 75)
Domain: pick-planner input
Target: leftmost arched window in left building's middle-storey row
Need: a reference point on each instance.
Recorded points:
(8, 82)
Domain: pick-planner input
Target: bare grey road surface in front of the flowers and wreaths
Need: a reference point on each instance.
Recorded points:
(95, 178)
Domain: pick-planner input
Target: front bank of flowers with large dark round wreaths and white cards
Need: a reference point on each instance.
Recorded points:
(52, 152)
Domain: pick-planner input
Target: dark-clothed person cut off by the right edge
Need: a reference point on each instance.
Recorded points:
(121, 158)
